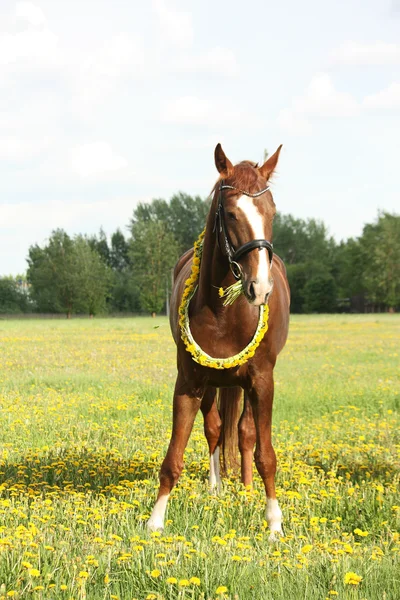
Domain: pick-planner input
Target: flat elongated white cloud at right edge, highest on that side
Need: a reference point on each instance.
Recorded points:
(357, 54)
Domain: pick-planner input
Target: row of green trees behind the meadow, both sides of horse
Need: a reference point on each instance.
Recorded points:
(132, 273)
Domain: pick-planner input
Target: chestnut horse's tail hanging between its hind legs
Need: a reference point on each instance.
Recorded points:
(228, 405)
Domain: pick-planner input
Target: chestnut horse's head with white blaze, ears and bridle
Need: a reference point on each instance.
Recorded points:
(244, 214)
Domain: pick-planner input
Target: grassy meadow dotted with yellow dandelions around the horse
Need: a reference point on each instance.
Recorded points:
(85, 413)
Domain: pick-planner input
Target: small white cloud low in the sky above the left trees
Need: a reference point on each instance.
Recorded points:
(94, 159)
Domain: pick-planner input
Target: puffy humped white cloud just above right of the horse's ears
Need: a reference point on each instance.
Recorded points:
(320, 100)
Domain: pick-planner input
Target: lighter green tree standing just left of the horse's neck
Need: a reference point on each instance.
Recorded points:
(153, 253)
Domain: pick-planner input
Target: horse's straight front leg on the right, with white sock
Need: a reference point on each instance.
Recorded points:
(261, 396)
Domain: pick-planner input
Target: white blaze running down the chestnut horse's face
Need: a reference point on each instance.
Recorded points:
(256, 222)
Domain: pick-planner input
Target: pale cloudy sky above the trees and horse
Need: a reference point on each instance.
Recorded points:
(107, 104)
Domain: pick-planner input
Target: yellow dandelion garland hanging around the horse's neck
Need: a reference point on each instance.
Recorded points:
(197, 353)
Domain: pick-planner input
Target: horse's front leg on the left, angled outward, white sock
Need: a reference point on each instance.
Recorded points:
(187, 400)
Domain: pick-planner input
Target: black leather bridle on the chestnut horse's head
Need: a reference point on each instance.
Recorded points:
(235, 255)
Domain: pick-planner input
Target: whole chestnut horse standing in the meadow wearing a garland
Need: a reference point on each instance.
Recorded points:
(236, 247)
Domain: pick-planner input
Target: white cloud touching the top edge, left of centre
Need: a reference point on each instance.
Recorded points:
(176, 26)
